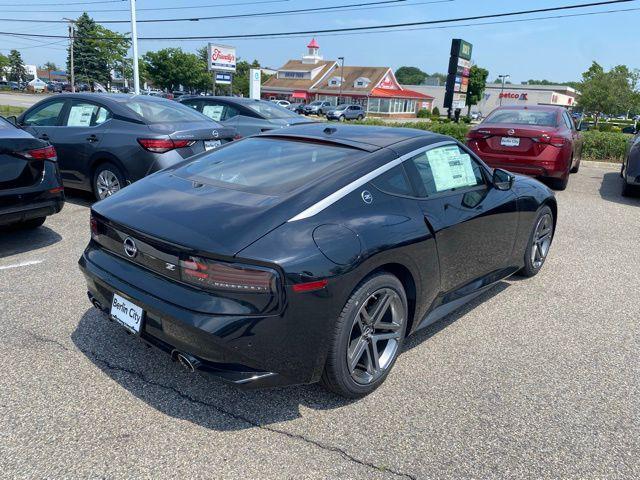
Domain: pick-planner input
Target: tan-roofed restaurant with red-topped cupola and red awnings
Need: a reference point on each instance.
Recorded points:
(375, 88)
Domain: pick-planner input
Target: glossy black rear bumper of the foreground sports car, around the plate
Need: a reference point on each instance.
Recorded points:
(248, 351)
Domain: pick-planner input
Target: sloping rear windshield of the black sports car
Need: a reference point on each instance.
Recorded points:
(267, 165)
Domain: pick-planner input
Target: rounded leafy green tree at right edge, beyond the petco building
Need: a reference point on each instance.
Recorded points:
(611, 92)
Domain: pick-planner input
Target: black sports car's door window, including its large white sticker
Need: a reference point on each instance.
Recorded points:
(444, 169)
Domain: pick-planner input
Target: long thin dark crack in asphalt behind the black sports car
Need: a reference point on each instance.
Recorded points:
(238, 417)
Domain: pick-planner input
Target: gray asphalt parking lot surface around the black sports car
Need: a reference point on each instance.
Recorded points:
(536, 379)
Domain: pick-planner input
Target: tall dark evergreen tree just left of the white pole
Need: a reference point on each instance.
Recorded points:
(96, 51)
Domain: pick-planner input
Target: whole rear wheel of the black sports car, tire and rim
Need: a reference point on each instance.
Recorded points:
(368, 337)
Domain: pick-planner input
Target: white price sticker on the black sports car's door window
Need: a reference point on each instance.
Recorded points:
(450, 168)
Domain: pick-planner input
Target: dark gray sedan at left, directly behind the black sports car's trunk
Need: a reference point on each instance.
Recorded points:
(107, 141)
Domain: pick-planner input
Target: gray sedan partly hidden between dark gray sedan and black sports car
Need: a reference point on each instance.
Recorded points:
(246, 115)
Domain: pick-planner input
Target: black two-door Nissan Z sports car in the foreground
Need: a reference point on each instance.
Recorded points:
(310, 253)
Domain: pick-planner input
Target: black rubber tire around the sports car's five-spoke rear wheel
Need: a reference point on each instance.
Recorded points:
(337, 376)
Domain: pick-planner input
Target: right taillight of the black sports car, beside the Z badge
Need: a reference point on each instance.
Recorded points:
(214, 275)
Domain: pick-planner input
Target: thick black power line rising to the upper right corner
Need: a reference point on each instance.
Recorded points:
(353, 29)
